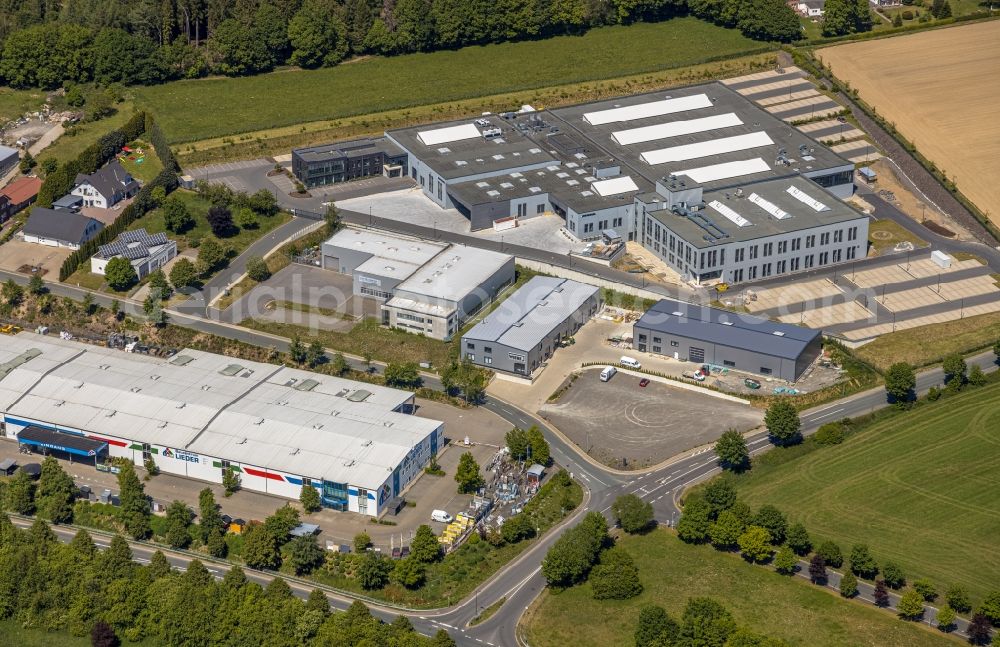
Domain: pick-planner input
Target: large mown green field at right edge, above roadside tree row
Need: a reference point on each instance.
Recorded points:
(919, 488)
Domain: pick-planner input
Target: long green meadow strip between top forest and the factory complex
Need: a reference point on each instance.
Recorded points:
(200, 109)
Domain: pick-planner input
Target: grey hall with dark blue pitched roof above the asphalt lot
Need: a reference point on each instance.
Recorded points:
(742, 342)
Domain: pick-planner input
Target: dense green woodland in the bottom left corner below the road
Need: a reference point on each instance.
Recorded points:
(48, 585)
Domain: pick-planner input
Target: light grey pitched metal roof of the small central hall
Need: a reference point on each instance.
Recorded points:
(528, 315)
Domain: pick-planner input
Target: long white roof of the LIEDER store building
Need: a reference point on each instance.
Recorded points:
(307, 424)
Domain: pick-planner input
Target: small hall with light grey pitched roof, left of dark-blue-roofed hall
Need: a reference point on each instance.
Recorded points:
(528, 326)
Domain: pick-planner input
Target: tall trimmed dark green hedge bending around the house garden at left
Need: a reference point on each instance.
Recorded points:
(99, 154)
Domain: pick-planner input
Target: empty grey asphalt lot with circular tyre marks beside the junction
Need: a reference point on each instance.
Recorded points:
(624, 425)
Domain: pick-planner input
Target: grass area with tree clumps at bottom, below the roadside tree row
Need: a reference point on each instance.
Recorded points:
(672, 571)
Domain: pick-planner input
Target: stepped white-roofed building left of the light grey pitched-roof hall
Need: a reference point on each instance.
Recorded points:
(425, 287)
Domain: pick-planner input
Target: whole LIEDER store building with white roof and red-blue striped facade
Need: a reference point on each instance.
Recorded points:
(198, 414)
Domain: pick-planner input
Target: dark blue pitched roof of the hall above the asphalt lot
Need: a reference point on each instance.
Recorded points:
(726, 328)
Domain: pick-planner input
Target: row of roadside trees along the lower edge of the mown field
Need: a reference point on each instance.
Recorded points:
(715, 516)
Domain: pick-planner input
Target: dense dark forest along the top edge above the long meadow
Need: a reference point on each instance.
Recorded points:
(47, 43)
